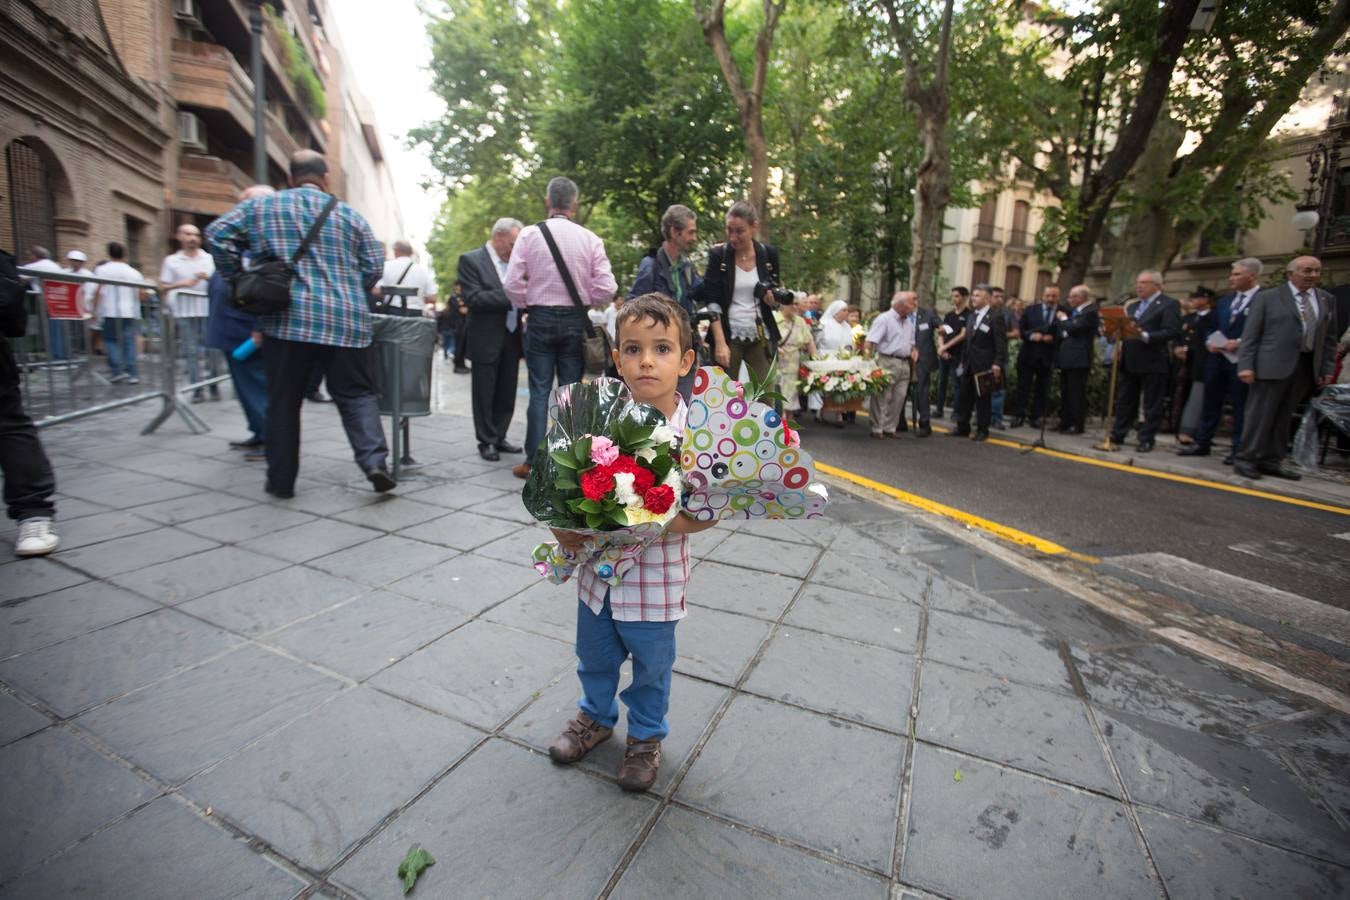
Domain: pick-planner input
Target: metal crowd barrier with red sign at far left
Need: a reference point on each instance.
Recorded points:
(61, 378)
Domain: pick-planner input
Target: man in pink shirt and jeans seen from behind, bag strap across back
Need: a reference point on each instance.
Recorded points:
(557, 322)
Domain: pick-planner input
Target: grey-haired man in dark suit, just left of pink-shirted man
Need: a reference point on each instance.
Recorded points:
(493, 335)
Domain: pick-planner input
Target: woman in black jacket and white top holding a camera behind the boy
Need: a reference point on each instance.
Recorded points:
(746, 331)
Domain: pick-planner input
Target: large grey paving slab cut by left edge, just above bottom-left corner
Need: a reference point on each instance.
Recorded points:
(47, 809)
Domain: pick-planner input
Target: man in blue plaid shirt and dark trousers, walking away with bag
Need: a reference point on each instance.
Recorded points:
(329, 322)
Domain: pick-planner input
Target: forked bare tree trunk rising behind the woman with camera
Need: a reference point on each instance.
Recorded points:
(750, 99)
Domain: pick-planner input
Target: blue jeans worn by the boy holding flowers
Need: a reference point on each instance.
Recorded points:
(603, 646)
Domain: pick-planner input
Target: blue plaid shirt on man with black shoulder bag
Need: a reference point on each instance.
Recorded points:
(329, 293)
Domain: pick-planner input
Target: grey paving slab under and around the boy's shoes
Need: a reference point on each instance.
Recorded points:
(693, 705)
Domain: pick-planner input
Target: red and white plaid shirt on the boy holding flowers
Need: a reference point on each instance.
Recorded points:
(653, 588)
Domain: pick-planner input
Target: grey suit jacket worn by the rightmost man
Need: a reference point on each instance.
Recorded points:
(1274, 334)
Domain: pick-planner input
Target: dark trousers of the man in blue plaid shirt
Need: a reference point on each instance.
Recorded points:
(352, 381)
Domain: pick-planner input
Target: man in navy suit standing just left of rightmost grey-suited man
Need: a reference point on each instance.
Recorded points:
(1221, 376)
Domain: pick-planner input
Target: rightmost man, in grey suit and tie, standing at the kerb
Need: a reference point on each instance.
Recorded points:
(1289, 347)
